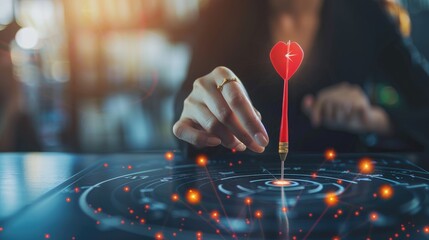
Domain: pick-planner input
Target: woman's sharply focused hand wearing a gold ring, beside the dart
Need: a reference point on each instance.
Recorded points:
(211, 117)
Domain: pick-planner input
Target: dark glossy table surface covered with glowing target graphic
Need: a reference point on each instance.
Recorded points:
(130, 196)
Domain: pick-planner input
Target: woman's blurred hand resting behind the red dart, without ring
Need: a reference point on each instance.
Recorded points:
(346, 107)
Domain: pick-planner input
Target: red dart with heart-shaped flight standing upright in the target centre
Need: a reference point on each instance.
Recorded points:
(286, 59)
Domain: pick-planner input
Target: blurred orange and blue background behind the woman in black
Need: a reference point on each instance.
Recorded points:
(101, 75)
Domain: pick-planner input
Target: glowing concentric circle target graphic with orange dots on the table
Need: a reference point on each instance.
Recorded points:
(240, 199)
